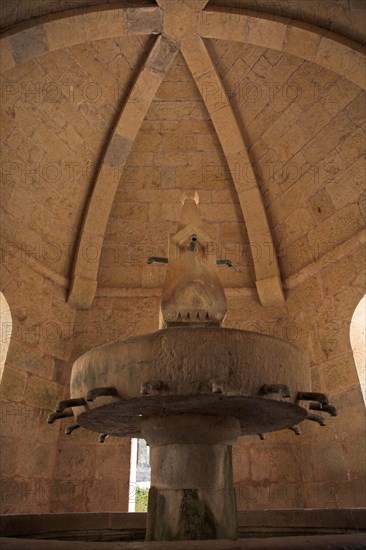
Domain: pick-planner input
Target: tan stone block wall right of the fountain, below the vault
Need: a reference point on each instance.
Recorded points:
(324, 467)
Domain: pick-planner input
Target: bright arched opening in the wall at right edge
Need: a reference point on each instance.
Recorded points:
(358, 343)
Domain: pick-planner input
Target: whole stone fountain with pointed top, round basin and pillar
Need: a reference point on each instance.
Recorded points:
(191, 390)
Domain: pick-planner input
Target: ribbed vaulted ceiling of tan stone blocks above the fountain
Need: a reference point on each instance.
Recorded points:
(109, 113)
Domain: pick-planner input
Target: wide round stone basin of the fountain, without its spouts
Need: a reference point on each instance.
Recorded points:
(200, 370)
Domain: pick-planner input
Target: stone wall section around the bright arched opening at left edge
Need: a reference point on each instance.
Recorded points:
(34, 379)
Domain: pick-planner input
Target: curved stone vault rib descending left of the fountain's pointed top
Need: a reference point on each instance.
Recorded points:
(86, 261)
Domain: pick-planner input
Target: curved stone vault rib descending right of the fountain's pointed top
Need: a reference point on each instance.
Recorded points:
(214, 95)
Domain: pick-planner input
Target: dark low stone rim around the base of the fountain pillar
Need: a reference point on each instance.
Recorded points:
(259, 529)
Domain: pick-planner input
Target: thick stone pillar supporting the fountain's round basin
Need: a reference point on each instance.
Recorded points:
(192, 494)
